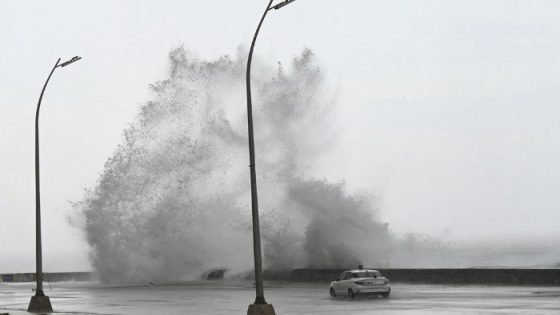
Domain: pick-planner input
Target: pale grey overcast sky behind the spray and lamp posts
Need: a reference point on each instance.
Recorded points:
(447, 109)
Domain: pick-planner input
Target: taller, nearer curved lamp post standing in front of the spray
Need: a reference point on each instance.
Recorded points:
(260, 306)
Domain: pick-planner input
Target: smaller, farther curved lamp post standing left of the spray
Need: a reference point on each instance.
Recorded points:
(40, 303)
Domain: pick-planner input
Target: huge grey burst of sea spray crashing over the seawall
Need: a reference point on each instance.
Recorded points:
(173, 199)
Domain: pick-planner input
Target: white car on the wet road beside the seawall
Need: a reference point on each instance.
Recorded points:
(360, 282)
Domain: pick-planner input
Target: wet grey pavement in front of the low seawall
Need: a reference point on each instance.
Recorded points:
(233, 297)
